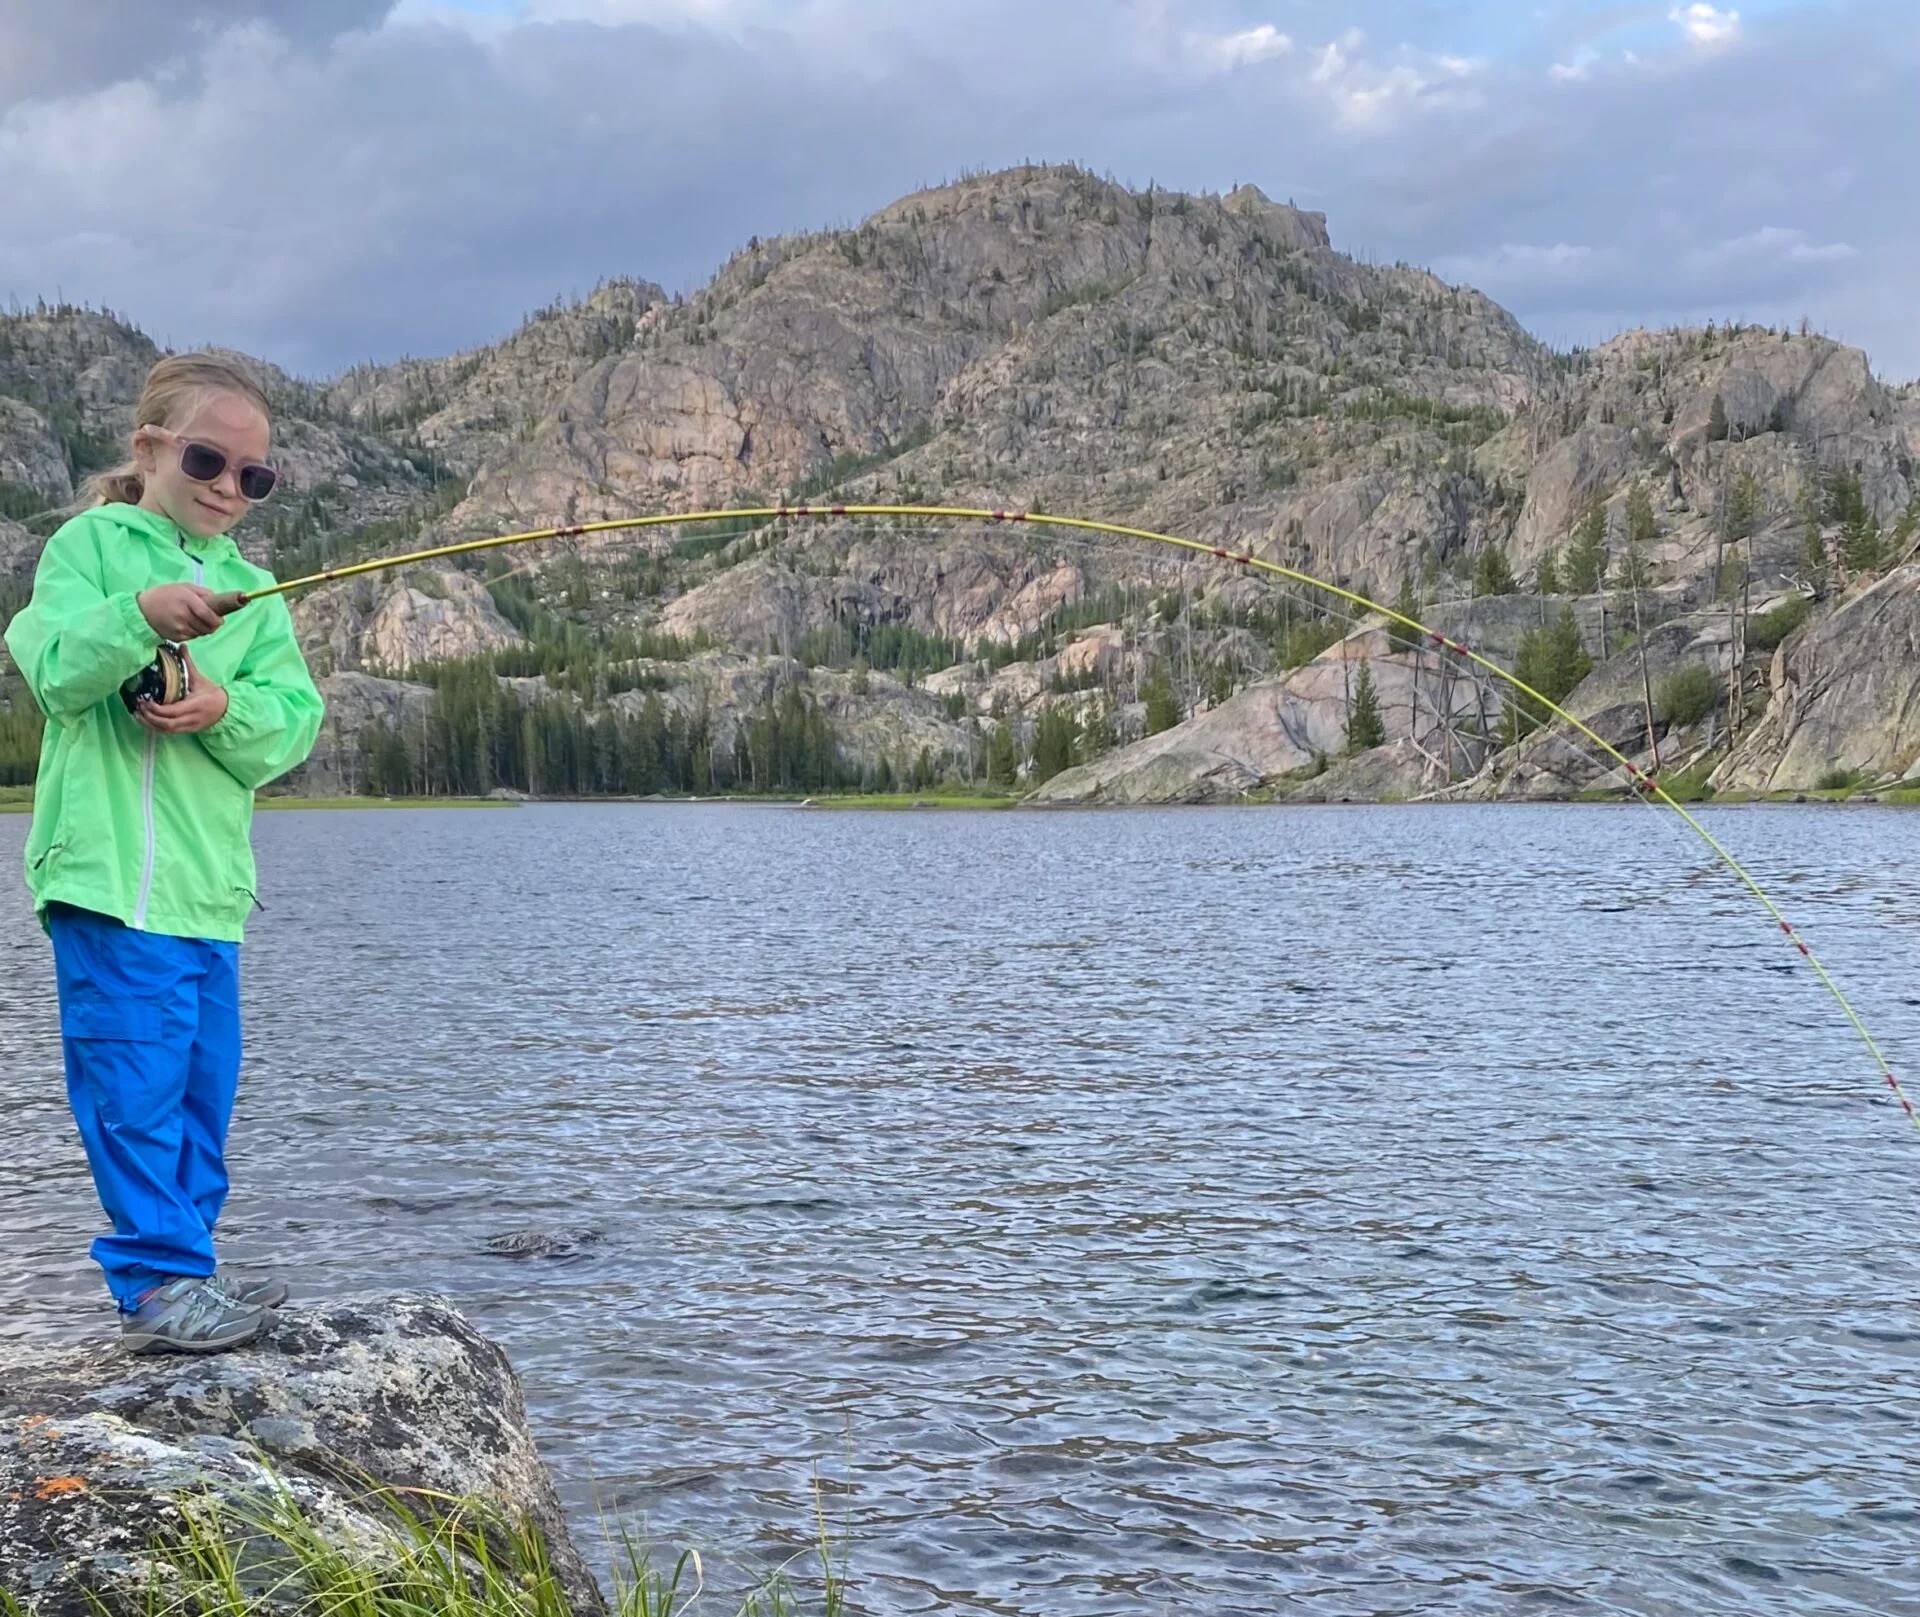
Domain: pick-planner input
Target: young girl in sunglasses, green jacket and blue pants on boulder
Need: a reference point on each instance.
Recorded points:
(139, 857)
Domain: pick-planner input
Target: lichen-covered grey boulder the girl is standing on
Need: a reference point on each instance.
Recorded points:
(99, 1449)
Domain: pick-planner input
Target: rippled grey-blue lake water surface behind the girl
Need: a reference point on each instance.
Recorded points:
(1339, 1211)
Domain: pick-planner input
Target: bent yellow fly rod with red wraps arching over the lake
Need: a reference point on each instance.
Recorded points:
(1643, 783)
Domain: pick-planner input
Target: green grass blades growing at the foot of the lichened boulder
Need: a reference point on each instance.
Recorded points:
(423, 1555)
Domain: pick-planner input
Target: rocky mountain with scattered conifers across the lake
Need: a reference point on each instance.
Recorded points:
(1049, 341)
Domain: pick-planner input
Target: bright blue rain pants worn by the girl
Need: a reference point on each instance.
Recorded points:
(151, 1028)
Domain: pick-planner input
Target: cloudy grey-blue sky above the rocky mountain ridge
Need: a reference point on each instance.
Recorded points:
(324, 181)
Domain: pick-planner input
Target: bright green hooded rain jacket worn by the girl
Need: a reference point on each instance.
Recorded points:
(153, 829)
